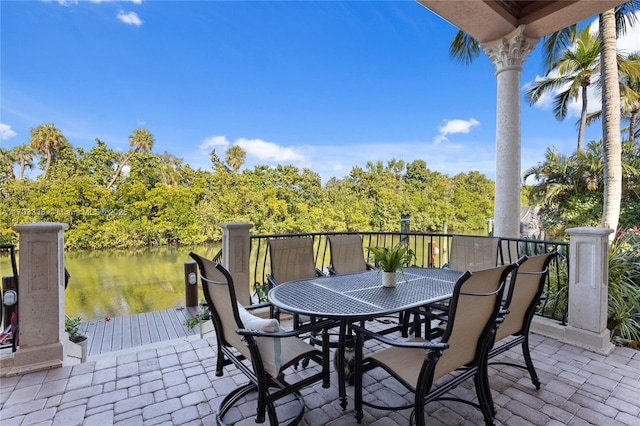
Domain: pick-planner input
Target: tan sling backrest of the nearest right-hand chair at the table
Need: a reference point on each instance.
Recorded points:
(473, 310)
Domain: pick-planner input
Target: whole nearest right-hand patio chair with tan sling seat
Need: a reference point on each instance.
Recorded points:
(460, 353)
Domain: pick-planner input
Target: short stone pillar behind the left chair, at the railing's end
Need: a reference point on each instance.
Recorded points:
(236, 246)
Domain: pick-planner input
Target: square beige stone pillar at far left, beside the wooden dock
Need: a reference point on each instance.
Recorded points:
(41, 297)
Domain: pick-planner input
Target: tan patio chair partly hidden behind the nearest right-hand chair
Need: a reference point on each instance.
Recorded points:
(519, 306)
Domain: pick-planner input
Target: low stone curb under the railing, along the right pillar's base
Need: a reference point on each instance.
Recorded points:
(599, 343)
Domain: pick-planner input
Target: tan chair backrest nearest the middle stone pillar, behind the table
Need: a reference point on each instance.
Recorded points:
(291, 258)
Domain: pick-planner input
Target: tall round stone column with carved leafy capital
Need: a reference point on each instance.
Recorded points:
(508, 54)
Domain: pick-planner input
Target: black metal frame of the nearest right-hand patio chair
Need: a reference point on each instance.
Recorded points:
(423, 392)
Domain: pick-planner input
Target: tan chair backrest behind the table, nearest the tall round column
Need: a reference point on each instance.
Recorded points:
(471, 253)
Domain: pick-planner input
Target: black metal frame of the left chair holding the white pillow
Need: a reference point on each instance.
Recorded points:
(259, 379)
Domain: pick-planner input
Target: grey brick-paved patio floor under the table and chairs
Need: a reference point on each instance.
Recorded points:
(174, 382)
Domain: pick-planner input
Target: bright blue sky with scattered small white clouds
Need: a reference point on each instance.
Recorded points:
(324, 85)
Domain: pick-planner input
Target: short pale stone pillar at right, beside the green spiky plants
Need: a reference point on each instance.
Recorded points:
(589, 289)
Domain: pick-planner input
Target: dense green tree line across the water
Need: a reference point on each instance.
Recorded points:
(139, 198)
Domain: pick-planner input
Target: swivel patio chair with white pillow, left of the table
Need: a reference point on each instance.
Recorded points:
(258, 348)
